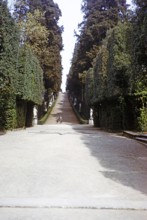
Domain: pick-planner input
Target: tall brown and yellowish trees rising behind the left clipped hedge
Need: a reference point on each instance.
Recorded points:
(50, 58)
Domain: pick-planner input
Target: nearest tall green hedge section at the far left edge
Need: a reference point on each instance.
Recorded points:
(9, 38)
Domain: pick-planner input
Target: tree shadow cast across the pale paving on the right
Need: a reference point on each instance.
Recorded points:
(122, 160)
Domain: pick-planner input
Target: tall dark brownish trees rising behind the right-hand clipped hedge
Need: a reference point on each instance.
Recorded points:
(99, 17)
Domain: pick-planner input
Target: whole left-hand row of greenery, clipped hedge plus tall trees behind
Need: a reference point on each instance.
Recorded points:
(30, 61)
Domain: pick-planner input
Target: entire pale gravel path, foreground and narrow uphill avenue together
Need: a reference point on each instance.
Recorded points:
(69, 171)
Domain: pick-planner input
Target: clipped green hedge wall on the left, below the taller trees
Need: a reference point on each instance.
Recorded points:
(20, 75)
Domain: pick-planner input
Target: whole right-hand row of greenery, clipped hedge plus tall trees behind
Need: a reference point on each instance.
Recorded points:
(109, 67)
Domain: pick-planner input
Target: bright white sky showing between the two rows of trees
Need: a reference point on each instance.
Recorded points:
(71, 17)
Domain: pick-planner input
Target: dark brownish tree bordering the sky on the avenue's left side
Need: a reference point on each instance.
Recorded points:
(51, 63)
